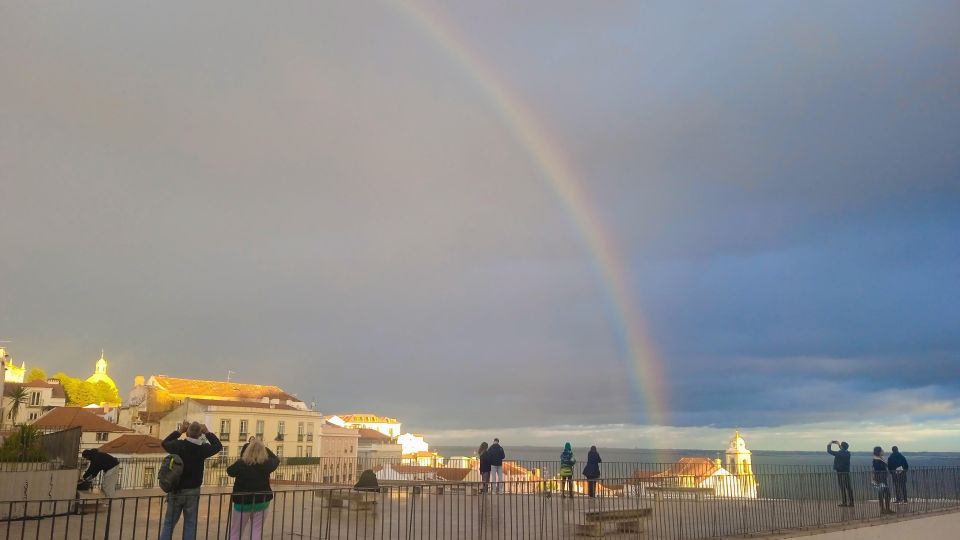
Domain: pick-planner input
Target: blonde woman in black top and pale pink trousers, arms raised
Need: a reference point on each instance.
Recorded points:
(251, 490)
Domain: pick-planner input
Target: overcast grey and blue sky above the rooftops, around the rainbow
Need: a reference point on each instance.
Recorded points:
(323, 197)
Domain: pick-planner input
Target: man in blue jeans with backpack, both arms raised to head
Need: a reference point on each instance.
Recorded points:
(198, 445)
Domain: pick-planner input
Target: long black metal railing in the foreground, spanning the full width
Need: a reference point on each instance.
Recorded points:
(667, 508)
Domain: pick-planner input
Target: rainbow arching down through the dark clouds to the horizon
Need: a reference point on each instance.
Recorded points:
(628, 324)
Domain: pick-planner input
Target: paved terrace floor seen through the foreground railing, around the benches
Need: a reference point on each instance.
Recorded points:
(423, 512)
